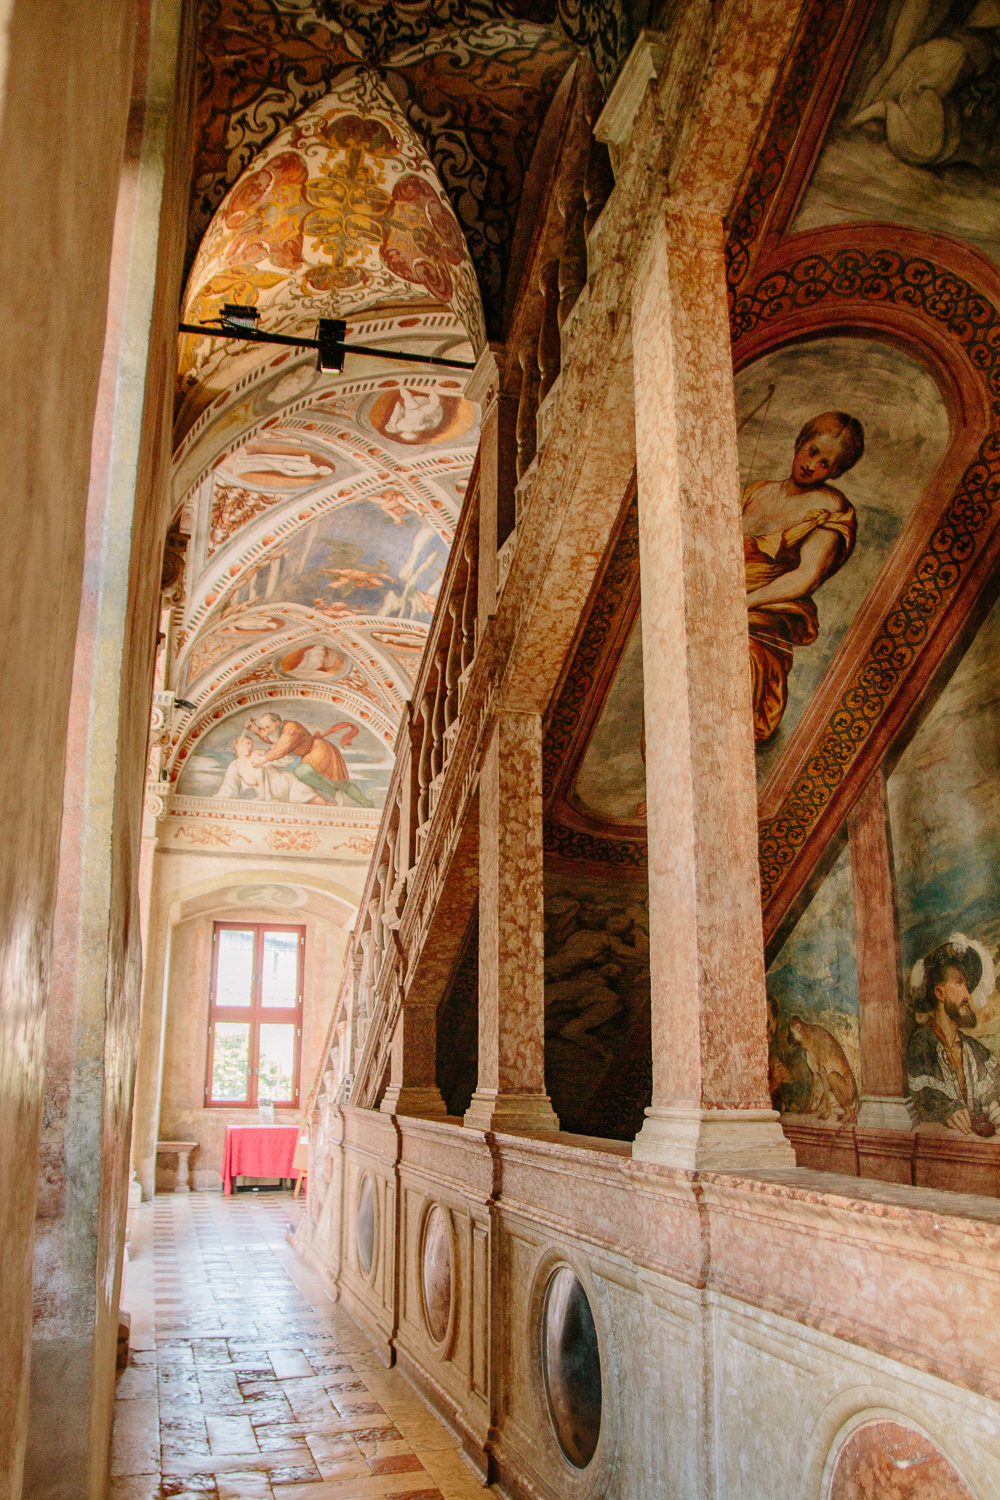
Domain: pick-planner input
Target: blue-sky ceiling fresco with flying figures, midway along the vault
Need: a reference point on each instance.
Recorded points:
(359, 560)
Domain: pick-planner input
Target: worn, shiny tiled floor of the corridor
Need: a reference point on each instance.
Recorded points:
(248, 1384)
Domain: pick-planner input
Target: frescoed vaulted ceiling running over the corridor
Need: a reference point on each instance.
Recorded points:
(361, 161)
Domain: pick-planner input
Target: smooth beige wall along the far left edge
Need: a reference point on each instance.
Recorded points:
(62, 133)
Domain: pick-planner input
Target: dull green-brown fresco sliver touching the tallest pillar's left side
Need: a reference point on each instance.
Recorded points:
(612, 778)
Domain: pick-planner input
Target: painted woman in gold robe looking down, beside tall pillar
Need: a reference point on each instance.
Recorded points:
(797, 533)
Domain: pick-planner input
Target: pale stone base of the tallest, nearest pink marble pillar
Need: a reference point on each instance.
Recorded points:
(714, 1141)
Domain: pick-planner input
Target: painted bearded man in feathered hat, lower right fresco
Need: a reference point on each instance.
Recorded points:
(953, 1079)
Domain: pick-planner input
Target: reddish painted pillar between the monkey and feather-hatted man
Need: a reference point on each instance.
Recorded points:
(879, 965)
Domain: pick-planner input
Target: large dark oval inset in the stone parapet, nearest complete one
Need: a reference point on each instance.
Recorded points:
(572, 1366)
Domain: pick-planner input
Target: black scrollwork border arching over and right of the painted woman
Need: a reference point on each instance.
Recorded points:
(948, 301)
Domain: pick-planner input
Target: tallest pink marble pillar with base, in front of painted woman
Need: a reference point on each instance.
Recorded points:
(710, 1051)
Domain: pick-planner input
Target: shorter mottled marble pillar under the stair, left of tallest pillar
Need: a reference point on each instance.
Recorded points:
(512, 1081)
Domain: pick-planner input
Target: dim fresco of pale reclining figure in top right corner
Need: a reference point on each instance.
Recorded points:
(915, 137)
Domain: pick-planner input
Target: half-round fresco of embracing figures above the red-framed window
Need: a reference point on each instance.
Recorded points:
(290, 752)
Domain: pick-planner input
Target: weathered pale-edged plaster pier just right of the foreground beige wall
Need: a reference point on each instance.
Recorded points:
(94, 1006)
